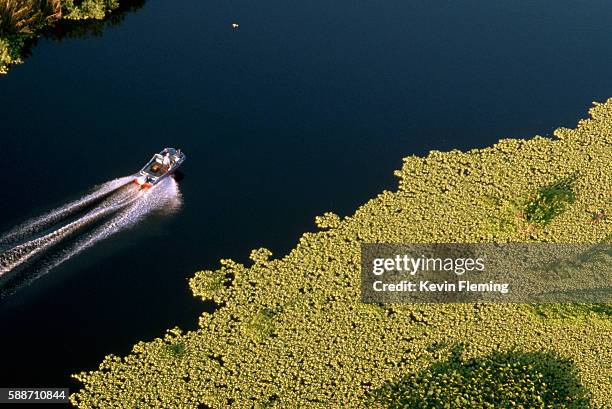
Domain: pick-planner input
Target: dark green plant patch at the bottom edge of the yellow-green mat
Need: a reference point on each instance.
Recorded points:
(501, 380)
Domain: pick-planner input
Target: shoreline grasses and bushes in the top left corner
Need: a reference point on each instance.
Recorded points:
(22, 22)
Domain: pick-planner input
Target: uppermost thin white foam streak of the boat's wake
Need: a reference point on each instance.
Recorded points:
(54, 216)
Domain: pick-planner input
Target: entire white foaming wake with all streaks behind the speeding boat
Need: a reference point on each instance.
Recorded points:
(110, 208)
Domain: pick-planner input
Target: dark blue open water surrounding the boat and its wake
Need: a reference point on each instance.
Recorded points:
(308, 107)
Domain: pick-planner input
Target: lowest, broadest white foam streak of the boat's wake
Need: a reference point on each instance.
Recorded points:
(164, 197)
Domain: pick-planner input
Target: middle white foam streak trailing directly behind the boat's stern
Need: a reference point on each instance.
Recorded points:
(21, 253)
